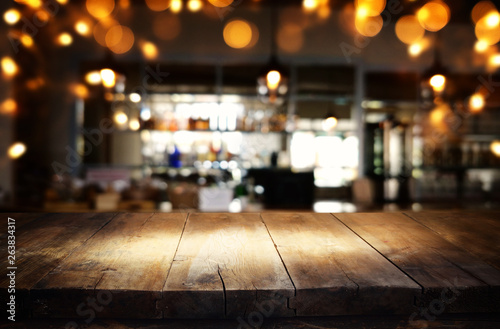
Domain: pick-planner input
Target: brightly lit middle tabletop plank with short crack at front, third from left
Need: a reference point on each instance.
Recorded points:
(226, 266)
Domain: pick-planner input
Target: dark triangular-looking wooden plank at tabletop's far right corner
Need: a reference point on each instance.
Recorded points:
(478, 233)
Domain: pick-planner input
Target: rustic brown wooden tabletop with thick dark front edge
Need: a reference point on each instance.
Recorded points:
(250, 267)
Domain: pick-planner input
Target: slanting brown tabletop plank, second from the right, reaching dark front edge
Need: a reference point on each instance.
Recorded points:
(453, 280)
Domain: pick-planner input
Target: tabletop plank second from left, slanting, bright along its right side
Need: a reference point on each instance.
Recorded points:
(118, 273)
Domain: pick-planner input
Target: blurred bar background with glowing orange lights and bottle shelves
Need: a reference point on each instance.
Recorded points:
(245, 105)
